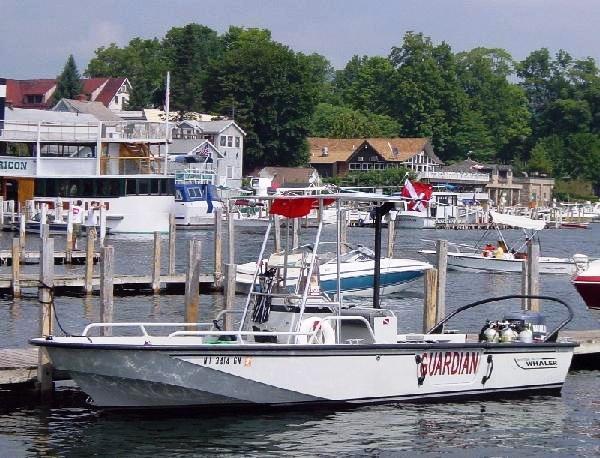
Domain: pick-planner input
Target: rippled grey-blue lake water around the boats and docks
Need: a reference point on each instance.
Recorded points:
(565, 425)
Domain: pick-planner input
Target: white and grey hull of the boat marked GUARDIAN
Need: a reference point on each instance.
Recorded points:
(288, 375)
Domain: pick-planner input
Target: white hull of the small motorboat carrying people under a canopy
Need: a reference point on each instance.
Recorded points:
(475, 262)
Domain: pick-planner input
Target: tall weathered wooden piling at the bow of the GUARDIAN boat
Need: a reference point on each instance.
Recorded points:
(44, 371)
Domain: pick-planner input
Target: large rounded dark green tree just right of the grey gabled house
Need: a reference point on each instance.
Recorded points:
(272, 91)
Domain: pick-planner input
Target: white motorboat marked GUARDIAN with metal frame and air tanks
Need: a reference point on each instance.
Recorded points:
(296, 348)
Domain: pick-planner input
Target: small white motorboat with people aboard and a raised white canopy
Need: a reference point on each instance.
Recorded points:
(490, 258)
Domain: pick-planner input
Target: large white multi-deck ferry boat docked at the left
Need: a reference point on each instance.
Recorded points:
(46, 155)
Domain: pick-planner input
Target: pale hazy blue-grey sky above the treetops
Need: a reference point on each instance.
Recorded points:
(38, 35)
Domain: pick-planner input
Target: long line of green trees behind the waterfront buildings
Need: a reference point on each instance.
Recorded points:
(539, 114)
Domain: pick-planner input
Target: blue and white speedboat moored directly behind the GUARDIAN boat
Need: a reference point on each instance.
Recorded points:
(356, 272)
